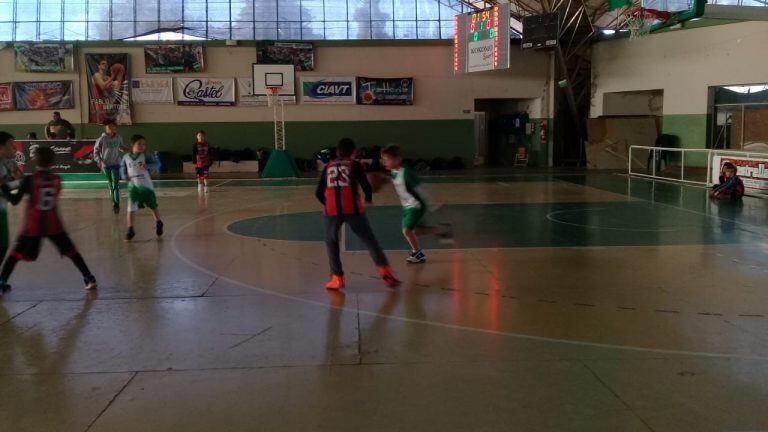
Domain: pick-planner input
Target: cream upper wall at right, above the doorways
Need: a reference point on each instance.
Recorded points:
(682, 63)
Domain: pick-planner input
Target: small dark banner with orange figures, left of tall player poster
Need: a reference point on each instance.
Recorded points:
(44, 95)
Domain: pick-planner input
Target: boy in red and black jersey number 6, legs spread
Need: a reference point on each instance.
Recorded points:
(41, 220)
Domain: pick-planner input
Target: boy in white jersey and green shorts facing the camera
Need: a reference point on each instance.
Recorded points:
(136, 168)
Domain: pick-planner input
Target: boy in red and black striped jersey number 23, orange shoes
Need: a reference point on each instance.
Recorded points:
(339, 192)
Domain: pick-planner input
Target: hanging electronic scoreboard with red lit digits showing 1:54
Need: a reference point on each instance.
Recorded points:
(481, 40)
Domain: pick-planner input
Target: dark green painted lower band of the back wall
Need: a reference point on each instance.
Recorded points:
(420, 138)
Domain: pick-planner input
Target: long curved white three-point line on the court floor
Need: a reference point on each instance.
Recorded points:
(175, 249)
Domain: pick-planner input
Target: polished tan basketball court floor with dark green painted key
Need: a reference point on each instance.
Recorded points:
(570, 302)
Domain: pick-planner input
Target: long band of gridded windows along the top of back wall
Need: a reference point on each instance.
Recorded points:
(42, 20)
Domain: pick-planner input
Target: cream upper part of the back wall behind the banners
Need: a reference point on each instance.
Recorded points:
(438, 93)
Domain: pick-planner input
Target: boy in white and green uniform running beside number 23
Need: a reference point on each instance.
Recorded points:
(415, 202)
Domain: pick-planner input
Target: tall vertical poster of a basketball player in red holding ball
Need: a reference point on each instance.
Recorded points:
(108, 93)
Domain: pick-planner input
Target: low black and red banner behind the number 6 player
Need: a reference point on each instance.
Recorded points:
(70, 156)
